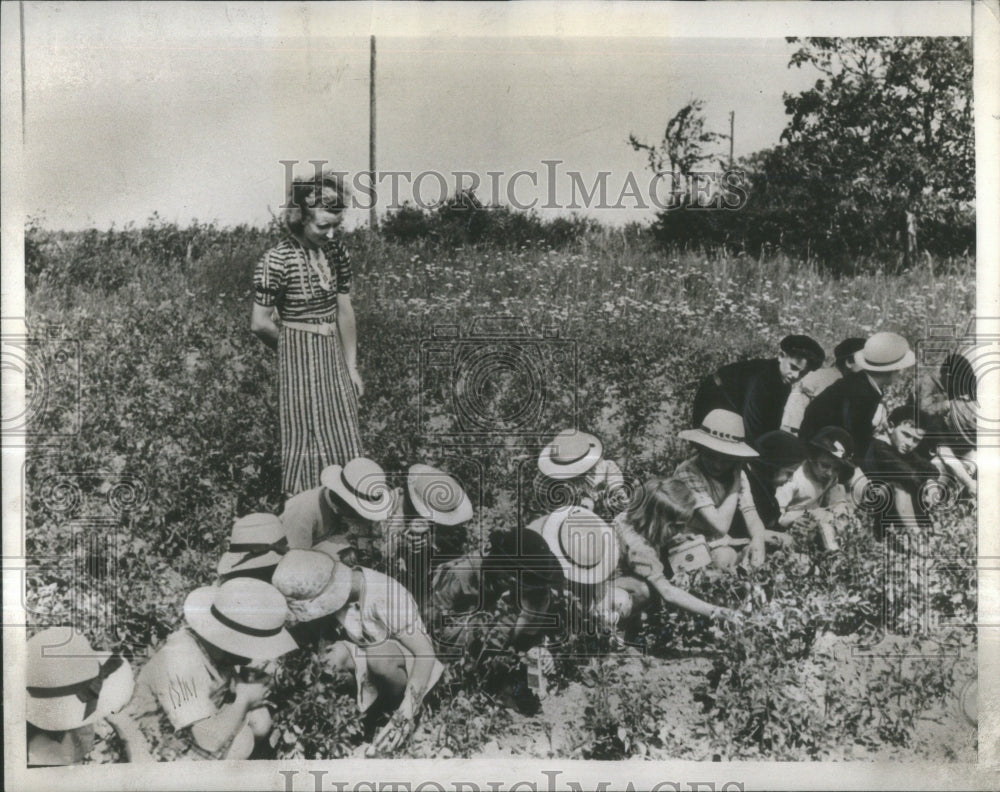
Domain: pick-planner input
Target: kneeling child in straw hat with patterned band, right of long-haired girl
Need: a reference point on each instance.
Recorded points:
(724, 511)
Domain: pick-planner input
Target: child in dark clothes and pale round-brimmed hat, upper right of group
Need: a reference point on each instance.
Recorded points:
(855, 403)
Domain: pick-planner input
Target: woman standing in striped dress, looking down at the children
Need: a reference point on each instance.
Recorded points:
(305, 282)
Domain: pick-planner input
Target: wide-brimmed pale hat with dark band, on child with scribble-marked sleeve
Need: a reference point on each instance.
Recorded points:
(243, 616)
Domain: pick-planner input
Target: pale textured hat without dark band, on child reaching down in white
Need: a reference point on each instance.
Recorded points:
(314, 583)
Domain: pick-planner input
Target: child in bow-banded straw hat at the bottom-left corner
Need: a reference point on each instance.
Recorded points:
(71, 689)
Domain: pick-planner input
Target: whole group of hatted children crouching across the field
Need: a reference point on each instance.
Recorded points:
(776, 441)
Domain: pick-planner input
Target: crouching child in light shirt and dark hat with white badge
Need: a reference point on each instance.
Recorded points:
(814, 488)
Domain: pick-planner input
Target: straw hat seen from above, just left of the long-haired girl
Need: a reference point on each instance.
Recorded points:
(584, 544)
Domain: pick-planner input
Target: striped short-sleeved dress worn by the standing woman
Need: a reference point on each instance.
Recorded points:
(317, 405)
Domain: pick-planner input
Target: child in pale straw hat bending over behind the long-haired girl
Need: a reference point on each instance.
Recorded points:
(575, 461)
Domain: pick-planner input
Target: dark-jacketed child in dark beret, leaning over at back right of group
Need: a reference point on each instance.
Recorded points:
(756, 390)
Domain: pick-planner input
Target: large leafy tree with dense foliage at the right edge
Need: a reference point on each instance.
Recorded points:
(887, 132)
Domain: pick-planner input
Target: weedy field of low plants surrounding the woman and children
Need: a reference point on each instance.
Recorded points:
(154, 424)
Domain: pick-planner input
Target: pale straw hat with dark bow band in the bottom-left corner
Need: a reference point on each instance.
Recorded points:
(69, 684)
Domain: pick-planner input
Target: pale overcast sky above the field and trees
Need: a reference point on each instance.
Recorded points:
(131, 109)
